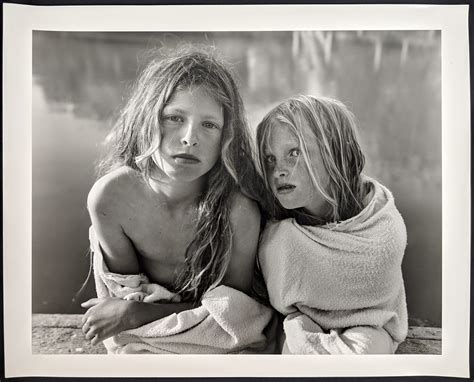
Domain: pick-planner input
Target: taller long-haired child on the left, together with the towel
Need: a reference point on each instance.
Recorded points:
(174, 227)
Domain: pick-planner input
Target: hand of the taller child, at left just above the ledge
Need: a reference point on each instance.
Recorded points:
(105, 318)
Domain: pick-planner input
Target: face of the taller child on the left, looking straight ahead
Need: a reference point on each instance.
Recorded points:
(191, 126)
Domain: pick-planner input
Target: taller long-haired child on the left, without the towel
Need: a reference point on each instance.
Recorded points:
(174, 197)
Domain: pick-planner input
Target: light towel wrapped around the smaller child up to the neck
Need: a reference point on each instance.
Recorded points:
(339, 276)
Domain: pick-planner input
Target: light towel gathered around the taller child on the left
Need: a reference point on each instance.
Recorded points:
(227, 321)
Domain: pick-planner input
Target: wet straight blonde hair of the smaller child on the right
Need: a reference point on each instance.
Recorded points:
(336, 135)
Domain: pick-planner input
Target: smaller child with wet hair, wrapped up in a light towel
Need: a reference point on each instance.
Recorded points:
(331, 256)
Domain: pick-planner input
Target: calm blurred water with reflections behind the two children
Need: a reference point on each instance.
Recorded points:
(390, 80)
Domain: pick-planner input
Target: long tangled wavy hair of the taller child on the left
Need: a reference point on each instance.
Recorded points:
(136, 136)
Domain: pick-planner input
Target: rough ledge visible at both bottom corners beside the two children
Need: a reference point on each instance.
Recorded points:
(62, 334)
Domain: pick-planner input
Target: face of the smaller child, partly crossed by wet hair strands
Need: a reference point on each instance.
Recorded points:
(287, 173)
